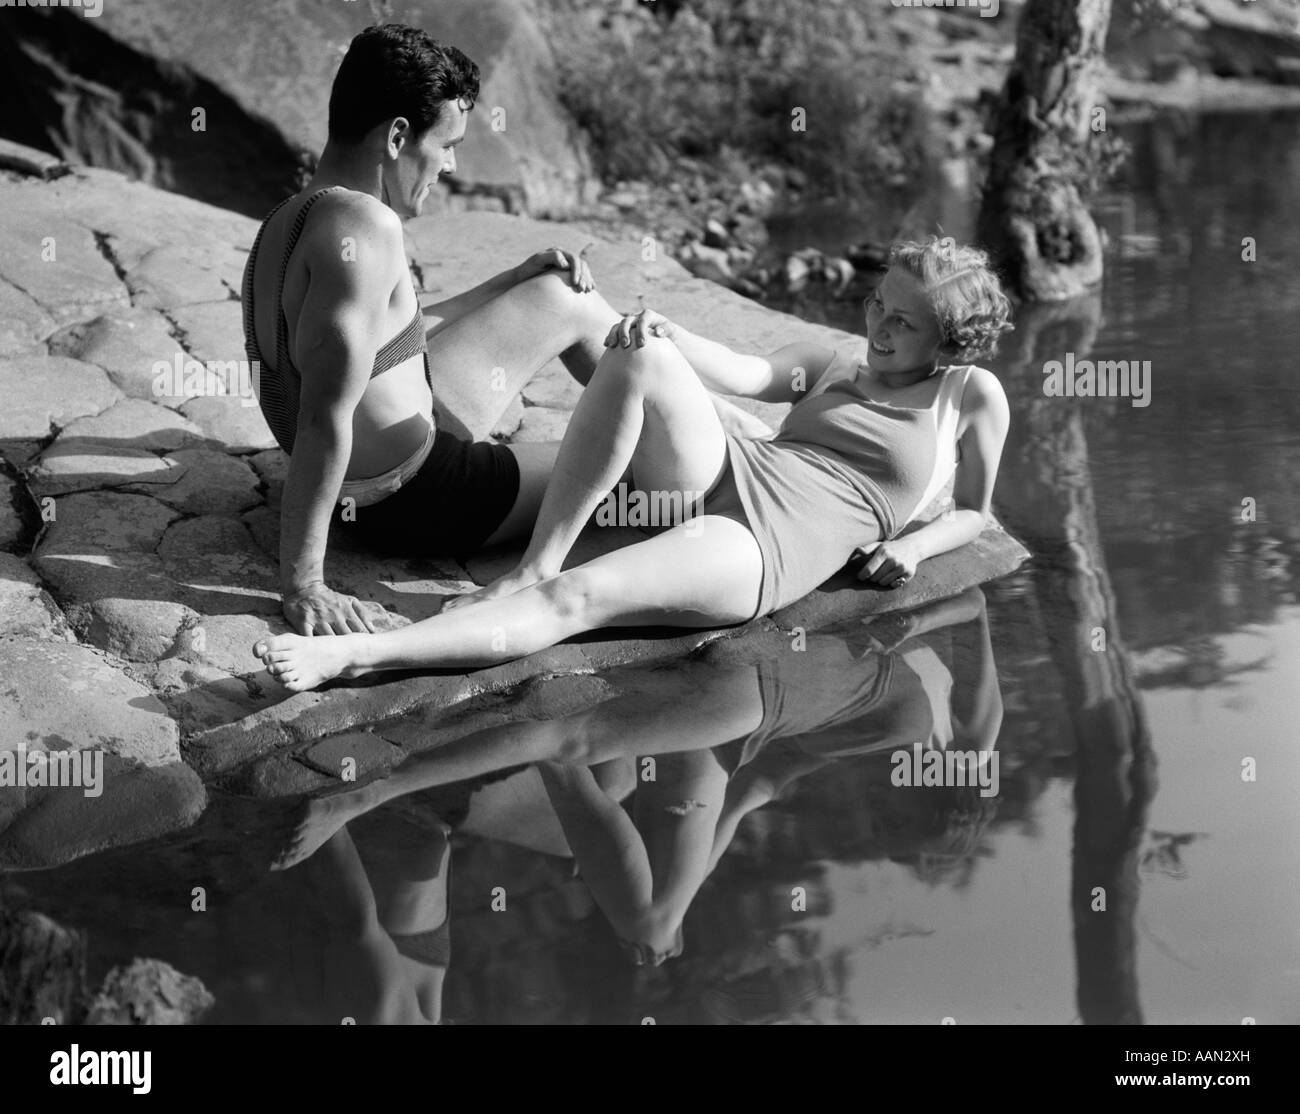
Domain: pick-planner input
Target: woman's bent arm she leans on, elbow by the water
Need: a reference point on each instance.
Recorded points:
(987, 417)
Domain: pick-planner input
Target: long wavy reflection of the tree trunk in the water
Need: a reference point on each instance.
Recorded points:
(1055, 515)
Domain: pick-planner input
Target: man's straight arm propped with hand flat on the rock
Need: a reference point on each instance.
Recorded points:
(339, 331)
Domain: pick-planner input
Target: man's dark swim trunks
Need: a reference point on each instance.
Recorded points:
(456, 502)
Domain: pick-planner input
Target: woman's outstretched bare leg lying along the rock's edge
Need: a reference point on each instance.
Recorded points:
(701, 574)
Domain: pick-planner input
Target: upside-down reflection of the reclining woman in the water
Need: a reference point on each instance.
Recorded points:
(725, 740)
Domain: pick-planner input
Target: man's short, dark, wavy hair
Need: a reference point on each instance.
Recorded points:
(397, 71)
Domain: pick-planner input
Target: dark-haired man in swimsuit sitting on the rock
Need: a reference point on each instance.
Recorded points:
(378, 404)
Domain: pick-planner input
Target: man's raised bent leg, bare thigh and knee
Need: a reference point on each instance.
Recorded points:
(482, 359)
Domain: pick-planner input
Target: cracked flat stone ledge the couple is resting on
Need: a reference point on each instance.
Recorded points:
(138, 531)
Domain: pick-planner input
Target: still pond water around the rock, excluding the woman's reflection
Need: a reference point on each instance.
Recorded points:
(1132, 675)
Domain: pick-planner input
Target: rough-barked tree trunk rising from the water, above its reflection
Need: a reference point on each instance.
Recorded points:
(1034, 218)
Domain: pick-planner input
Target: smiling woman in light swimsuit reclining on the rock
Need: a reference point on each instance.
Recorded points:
(866, 448)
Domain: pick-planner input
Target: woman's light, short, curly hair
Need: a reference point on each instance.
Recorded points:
(967, 294)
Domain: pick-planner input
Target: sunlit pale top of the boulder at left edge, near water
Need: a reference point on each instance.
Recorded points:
(58, 696)
